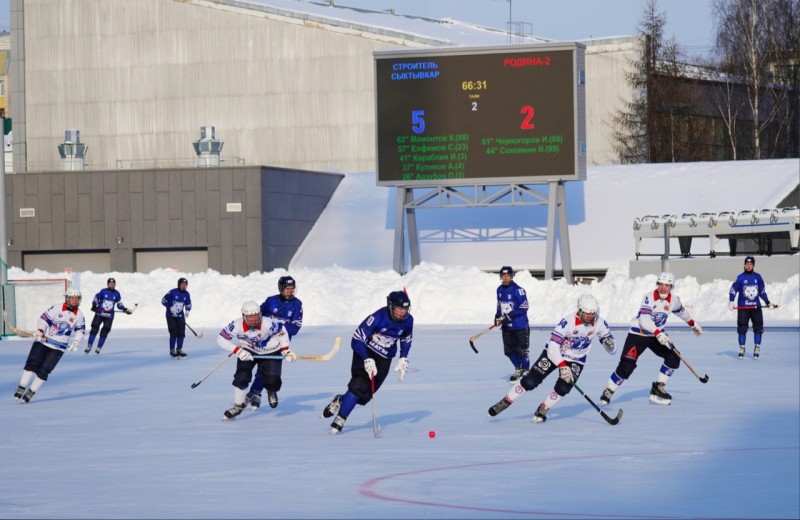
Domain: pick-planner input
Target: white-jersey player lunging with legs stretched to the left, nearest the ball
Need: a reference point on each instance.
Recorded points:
(567, 349)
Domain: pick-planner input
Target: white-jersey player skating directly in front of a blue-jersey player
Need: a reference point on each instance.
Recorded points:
(254, 335)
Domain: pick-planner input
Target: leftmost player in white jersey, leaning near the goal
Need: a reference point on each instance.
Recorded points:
(60, 328)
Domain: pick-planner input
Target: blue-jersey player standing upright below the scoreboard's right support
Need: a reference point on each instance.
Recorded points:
(512, 316)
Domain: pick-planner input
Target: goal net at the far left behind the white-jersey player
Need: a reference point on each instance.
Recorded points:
(32, 296)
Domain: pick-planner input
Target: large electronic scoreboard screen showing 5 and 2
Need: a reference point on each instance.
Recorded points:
(490, 115)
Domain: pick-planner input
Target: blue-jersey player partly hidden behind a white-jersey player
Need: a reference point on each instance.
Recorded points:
(288, 310)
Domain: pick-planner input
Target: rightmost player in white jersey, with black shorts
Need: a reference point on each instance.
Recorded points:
(648, 331)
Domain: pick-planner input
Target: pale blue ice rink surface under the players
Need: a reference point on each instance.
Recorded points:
(123, 435)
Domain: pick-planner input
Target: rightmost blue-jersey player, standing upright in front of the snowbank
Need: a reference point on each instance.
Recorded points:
(751, 290)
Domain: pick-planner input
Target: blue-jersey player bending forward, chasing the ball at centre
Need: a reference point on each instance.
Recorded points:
(375, 342)
